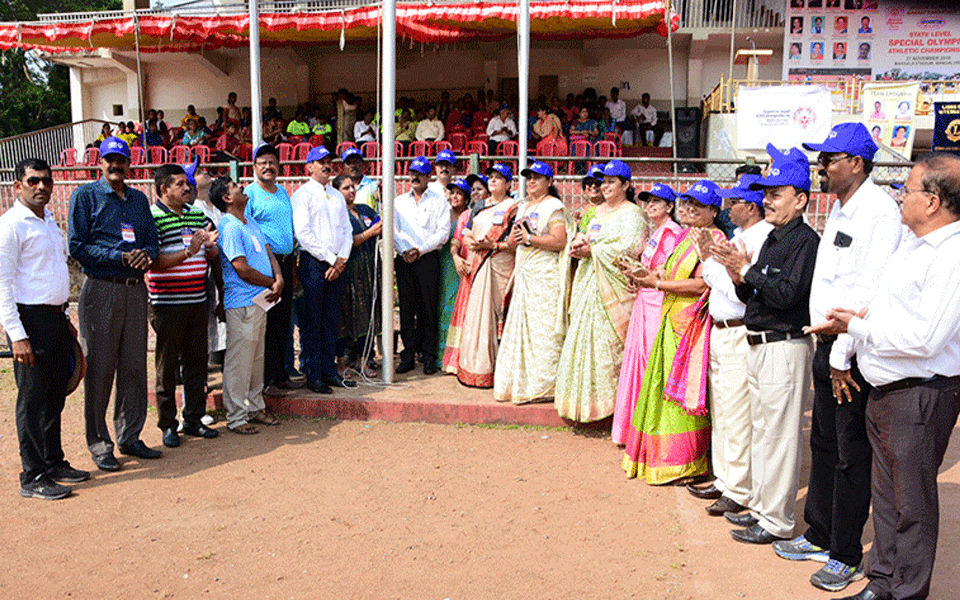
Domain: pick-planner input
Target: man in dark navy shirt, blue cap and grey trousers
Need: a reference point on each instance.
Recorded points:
(113, 237)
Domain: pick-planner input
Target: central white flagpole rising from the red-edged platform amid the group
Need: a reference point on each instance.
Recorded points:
(388, 135)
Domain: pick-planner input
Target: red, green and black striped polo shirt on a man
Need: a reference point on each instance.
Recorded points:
(185, 283)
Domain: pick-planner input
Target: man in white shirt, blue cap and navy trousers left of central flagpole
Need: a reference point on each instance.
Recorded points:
(322, 227)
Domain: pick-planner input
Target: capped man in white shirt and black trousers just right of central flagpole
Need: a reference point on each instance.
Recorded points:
(422, 224)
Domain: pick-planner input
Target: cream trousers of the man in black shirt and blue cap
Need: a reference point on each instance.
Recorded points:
(779, 377)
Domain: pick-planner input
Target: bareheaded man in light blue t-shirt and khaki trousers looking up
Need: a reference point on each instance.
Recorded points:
(252, 282)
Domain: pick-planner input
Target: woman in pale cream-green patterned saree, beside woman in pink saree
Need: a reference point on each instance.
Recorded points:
(600, 302)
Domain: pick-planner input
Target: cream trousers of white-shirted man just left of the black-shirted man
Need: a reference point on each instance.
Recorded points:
(730, 412)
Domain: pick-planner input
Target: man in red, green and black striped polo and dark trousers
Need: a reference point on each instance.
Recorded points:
(178, 302)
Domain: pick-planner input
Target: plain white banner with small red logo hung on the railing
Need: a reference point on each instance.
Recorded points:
(785, 115)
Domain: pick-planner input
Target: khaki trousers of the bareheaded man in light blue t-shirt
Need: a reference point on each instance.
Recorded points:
(243, 363)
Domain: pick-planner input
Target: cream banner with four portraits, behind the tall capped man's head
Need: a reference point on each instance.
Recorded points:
(889, 112)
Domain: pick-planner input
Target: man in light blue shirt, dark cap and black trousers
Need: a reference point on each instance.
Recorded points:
(270, 207)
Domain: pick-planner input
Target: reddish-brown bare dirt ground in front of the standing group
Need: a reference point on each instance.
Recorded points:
(357, 510)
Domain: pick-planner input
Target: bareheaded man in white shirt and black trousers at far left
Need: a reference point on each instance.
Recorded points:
(34, 289)
